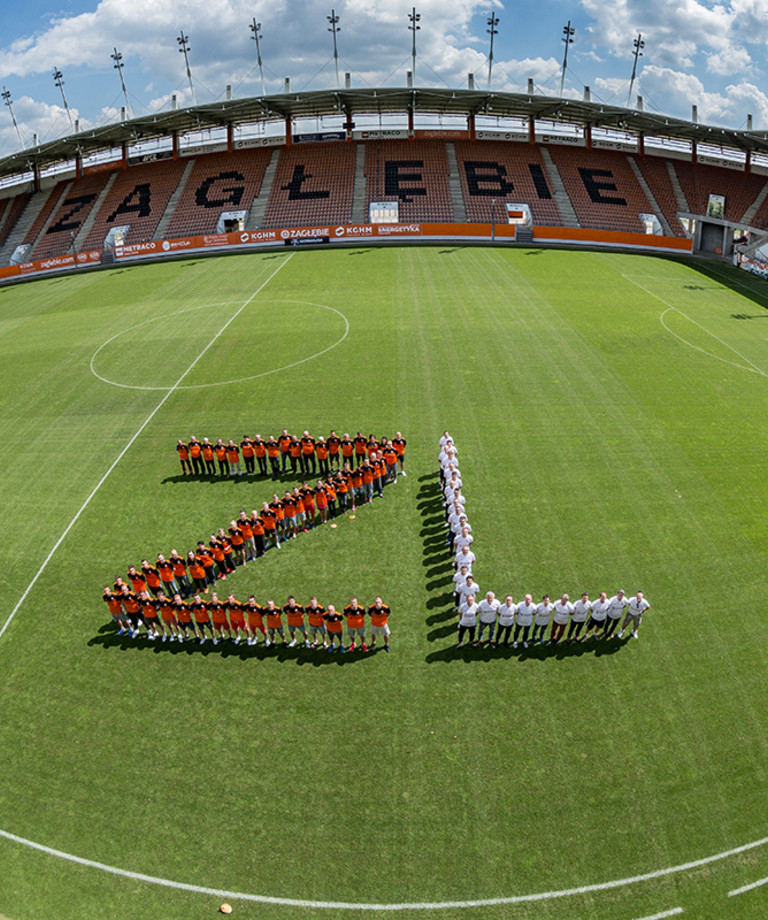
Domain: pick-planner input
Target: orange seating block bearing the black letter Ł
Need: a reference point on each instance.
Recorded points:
(313, 185)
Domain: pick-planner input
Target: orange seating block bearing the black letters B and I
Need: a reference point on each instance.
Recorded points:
(508, 172)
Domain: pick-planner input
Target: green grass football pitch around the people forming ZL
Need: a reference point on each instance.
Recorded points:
(610, 412)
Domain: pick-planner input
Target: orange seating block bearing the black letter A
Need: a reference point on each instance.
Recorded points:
(137, 199)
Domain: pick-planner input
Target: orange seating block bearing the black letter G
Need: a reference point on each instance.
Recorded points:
(218, 182)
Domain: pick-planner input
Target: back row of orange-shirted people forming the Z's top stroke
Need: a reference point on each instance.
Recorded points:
(305, 454)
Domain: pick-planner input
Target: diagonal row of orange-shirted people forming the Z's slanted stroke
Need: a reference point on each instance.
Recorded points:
(249, 536)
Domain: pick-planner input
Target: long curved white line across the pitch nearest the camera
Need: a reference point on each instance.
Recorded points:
(423, 905)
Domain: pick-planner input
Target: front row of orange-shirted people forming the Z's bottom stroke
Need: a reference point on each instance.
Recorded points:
(171, 618)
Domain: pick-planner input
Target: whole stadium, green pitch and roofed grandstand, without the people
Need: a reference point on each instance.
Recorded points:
(556, 282)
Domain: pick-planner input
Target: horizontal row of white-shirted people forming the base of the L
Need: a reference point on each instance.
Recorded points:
(599, 618)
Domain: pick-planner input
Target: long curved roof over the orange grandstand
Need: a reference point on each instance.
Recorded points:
(382, 101)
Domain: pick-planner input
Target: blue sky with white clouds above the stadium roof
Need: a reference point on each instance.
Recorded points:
(708, 54)
